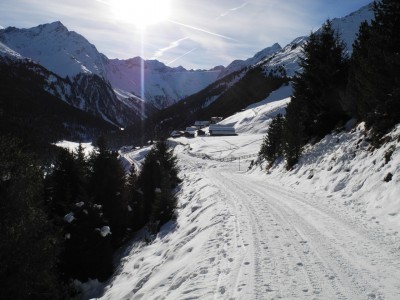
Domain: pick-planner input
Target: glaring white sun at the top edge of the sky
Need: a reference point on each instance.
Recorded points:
(141, 12)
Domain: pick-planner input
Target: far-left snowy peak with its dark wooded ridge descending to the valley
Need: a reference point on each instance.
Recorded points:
(71, 68)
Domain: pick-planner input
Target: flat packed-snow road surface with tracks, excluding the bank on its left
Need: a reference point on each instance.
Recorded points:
(298, 250)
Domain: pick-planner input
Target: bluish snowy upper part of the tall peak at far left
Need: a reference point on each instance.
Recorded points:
(63, 52)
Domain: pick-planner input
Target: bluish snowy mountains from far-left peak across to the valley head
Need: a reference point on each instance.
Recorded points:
(68, 54)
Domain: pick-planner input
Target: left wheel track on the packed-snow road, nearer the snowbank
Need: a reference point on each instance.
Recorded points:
(267, 250)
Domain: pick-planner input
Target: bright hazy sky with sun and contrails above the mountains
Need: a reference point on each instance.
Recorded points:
(195, 34)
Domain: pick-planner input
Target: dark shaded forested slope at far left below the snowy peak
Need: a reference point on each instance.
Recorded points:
(31, 111)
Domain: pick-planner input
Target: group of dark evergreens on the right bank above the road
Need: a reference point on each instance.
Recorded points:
(332, 88)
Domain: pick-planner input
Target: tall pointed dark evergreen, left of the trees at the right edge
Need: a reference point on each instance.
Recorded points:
(321, 82)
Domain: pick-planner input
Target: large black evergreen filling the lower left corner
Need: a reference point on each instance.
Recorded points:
(29, 243)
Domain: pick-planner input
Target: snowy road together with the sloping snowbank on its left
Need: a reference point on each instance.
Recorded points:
(242, 237)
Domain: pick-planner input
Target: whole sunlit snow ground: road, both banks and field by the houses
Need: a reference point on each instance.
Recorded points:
(326, 230)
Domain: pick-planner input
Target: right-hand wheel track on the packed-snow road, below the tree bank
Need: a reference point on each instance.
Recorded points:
(335, 255)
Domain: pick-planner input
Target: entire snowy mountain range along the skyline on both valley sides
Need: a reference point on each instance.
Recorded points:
(70, 69)
